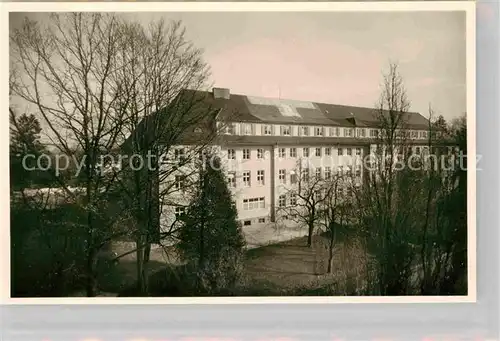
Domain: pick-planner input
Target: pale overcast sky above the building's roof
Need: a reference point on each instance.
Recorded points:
(333, 57)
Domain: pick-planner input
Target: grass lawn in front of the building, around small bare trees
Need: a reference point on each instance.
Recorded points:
(277, 269)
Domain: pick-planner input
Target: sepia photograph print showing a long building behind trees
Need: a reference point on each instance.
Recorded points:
(197, 154)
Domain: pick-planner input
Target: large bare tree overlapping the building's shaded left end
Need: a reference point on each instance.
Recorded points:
(167, 121)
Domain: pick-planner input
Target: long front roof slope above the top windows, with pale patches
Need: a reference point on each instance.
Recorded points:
(242, 108)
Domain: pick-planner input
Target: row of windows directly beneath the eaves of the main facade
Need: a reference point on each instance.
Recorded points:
(292, 152)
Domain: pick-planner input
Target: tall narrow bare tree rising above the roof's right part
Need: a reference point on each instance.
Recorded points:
(384, 209)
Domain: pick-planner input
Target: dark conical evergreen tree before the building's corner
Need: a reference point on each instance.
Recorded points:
(211, 239)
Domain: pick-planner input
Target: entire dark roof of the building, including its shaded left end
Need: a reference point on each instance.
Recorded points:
(204, 110)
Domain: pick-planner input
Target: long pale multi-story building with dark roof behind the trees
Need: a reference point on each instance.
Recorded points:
(262, 141)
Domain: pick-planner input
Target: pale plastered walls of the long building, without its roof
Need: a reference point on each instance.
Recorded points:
(272, 162)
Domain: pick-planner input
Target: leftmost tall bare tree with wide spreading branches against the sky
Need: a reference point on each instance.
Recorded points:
(66, 69)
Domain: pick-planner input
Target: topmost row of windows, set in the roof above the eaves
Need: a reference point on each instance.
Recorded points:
(318, 131)
